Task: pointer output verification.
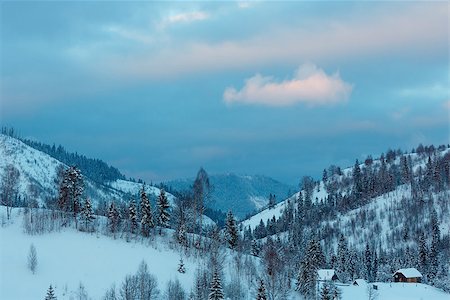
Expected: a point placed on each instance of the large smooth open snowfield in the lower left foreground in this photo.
(69, 257)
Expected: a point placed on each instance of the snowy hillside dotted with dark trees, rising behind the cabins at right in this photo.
(369, 220)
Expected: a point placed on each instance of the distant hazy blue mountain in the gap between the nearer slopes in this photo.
(247, 195)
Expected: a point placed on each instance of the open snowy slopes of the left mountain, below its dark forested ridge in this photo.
(39, 175)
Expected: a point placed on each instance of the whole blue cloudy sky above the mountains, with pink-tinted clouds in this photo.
(284, 89)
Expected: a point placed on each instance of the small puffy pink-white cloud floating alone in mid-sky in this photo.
(309, 85)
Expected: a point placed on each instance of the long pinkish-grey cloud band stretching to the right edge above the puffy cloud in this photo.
(383, 32)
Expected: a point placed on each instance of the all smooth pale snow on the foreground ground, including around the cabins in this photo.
(88, 255)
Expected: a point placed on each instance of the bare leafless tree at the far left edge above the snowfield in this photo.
(9, 188)
